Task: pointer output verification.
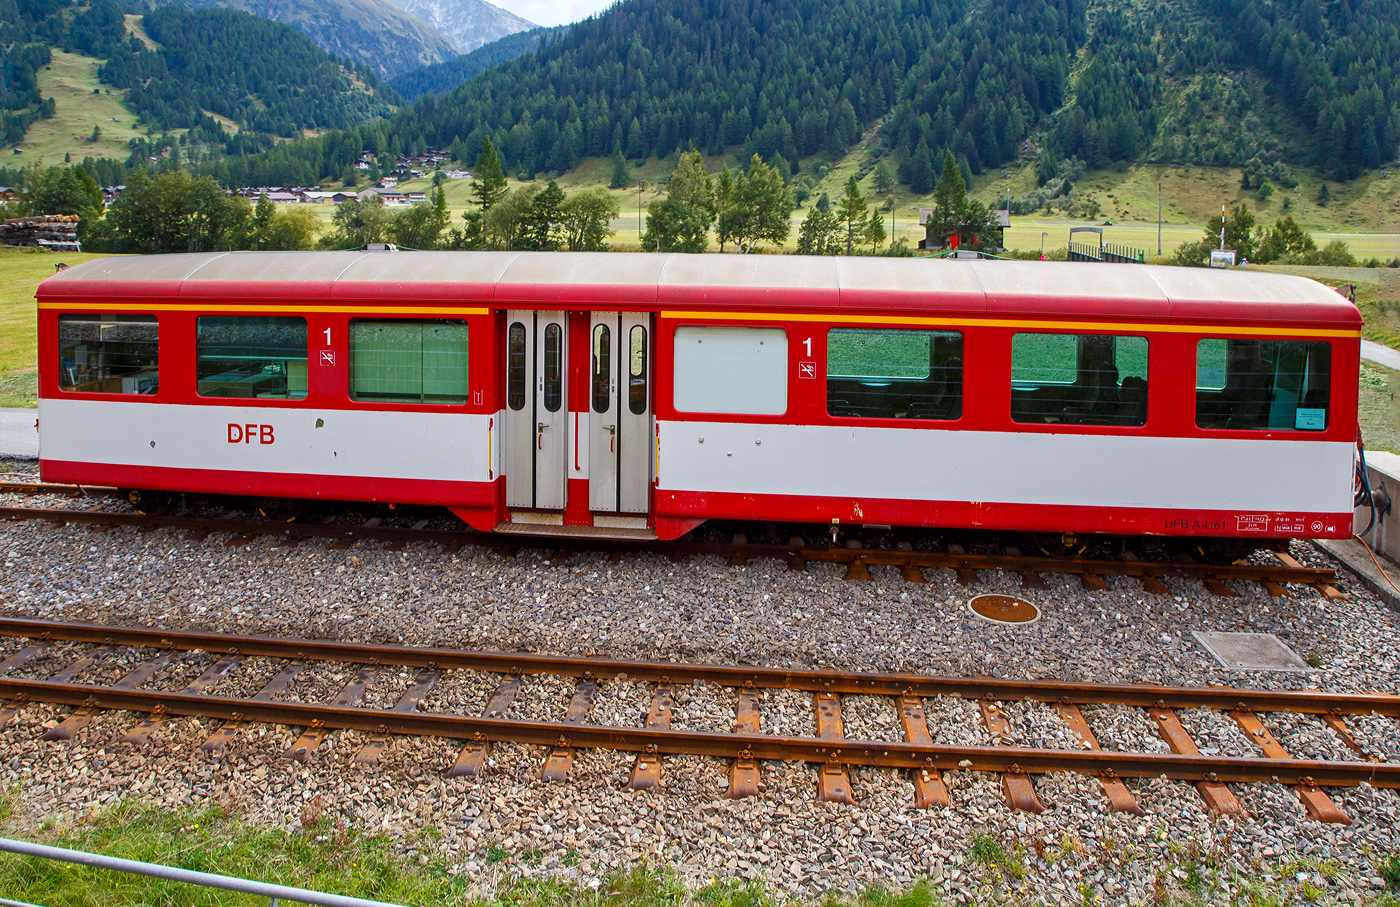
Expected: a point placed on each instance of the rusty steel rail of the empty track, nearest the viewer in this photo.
(846, 752)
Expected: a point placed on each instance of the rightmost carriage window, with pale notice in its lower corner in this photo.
(1263, 384)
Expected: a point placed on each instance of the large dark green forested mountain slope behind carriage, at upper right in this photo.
(1217, 82)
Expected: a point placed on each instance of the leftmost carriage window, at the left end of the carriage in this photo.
(108, 353)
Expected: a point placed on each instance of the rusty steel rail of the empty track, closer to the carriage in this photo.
(810, 681)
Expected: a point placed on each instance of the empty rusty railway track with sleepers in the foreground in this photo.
(745, 748)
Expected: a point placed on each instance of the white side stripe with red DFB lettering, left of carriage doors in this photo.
(388, 444)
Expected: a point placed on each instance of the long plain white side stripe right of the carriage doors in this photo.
(1009, 468)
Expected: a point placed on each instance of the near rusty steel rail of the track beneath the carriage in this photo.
(1016, 563)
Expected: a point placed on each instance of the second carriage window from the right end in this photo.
(1079, 380)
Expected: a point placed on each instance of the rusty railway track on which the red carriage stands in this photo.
(1276, 577)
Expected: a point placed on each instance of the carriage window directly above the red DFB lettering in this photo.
(260, 356)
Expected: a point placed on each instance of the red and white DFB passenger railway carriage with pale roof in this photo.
(639, 395)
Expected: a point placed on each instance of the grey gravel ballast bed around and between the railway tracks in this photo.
(649, 608)
